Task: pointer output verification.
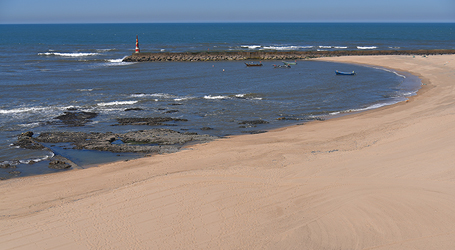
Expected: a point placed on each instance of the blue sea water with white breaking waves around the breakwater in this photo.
(47, 69)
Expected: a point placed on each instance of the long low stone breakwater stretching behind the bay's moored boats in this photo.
(270, 55)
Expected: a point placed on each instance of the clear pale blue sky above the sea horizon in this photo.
(164, 11)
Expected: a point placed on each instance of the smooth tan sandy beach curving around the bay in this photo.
(380, 179)
